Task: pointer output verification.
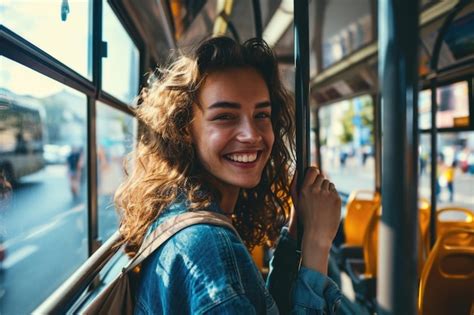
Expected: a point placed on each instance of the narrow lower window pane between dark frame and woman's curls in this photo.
(116, 132)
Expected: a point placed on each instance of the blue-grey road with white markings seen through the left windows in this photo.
(45, 235)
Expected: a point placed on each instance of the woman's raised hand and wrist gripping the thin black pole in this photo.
(319, 206)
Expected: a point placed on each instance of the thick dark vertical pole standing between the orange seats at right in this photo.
(398, 73)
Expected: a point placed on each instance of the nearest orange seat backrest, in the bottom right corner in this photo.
(447, 280)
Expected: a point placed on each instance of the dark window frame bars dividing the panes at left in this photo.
(20, 50)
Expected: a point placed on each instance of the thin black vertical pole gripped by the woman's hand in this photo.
(301, 33)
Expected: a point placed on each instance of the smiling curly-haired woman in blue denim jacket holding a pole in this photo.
(220, 138)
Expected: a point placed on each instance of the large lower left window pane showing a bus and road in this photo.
(43, 228)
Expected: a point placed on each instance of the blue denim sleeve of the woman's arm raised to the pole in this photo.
(302, 291)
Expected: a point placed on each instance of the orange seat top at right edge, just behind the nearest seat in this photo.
(449, 218)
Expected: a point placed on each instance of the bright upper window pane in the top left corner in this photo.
(63, 29)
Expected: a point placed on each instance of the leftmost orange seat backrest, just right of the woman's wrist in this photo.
(360, 208)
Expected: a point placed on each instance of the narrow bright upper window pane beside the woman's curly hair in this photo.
(120, 69)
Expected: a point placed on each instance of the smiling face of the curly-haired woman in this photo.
(232, 129)
